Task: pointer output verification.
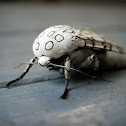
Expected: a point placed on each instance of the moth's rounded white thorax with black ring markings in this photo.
(54, 42)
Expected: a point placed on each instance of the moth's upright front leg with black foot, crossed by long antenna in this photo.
(67, 76)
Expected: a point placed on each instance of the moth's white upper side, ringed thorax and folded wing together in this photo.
(57, 40)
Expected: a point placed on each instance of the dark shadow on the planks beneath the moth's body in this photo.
(104, 77)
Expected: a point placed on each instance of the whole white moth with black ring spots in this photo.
(66, 48)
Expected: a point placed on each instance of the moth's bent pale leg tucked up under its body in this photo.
(91, 60)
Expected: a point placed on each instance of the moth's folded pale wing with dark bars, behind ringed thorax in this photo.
(97, 41)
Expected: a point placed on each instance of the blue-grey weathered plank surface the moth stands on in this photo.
(35, 99)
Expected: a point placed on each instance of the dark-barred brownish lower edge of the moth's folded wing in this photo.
(105, 44)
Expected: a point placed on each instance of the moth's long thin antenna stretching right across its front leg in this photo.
(73, 69)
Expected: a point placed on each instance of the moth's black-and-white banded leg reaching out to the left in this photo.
(23, 74)
